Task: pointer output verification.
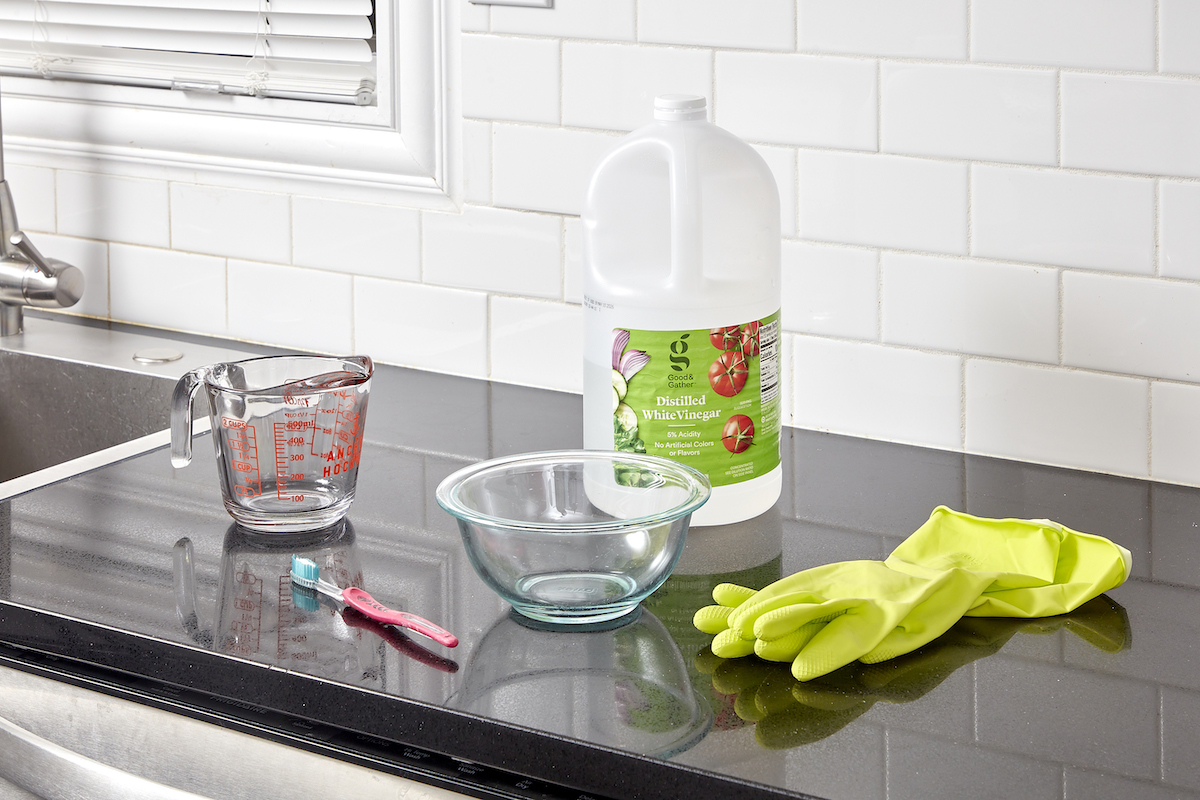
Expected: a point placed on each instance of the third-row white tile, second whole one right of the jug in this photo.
(1097, 222)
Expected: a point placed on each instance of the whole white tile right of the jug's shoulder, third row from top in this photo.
(884, 201)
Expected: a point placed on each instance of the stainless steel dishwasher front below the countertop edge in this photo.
(62, 742)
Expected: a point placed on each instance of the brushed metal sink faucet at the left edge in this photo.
(27, 278)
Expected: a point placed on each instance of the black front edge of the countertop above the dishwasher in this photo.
(429, 744)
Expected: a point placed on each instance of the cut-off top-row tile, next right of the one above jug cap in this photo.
(921, 29)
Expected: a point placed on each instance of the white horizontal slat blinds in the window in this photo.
(308, 50)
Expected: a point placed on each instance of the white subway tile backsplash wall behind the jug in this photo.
(992, 216)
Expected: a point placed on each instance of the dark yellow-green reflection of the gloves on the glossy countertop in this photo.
(789, 713)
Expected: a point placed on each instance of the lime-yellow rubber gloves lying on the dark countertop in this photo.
(956, 564)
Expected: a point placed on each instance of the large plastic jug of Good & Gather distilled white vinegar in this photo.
(681, 308)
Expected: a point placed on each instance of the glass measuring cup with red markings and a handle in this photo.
(287, 432)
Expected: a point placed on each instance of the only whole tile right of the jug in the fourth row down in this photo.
(997, 310)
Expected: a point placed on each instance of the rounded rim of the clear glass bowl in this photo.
(448, 490)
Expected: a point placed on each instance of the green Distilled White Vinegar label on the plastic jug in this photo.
(709, 399)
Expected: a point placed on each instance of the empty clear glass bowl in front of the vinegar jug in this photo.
(574, 537)
